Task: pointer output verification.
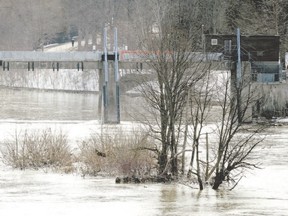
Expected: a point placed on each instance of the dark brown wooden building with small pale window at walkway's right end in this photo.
(261, 51)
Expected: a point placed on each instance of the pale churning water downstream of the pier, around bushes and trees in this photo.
(261, 192)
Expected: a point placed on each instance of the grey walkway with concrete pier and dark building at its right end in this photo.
(259, 53)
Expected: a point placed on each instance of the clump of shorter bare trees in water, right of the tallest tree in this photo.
(219, 101)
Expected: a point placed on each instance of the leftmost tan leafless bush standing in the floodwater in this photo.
(38, 149)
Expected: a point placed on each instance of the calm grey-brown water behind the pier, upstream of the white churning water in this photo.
(23, 104)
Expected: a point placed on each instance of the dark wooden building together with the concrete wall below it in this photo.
(260, 57)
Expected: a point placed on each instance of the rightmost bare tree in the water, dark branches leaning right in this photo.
(235, 139)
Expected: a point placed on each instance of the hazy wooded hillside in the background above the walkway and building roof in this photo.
(29, 24)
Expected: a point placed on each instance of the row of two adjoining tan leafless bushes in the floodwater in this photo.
(109, 154)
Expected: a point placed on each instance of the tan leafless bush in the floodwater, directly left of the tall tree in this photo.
(118, 153)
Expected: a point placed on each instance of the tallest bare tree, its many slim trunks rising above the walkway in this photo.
(169, 44)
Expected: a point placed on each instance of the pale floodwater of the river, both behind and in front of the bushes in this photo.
(262, 192)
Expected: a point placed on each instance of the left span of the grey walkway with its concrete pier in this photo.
(74, 61)
